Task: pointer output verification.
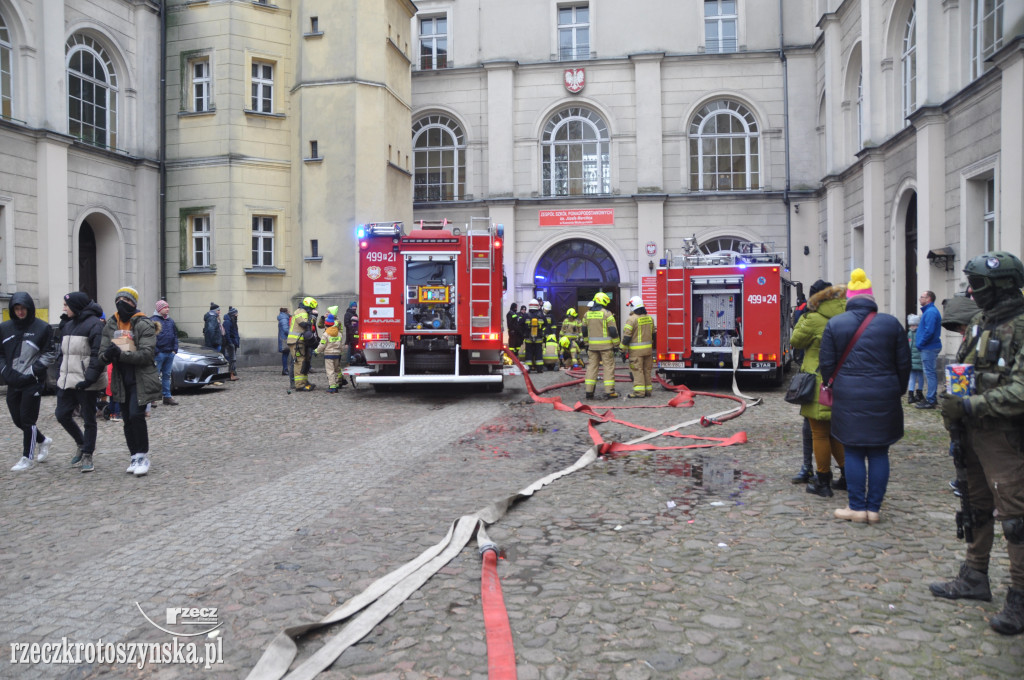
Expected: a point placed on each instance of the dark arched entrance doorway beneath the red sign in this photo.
(572, 273)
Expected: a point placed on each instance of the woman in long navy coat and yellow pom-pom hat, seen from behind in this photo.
(868, 413)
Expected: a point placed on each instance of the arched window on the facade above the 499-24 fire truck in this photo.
(724, 149)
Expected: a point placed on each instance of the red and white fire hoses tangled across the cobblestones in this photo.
(371, 607)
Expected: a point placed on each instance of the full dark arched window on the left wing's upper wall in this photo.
(93, 94)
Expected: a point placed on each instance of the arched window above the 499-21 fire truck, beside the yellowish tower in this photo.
(440, 159)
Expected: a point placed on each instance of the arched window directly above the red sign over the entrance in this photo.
(575, 155)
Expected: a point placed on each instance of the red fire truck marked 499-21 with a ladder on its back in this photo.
(431, 305)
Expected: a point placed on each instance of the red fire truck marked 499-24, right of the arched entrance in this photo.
(720, 306)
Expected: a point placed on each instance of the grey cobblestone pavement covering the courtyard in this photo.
(276, 508)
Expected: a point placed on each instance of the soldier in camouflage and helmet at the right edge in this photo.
(994, 423)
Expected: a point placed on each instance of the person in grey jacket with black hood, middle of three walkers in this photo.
(81, 377)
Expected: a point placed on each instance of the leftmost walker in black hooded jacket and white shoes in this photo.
(27, 352)
